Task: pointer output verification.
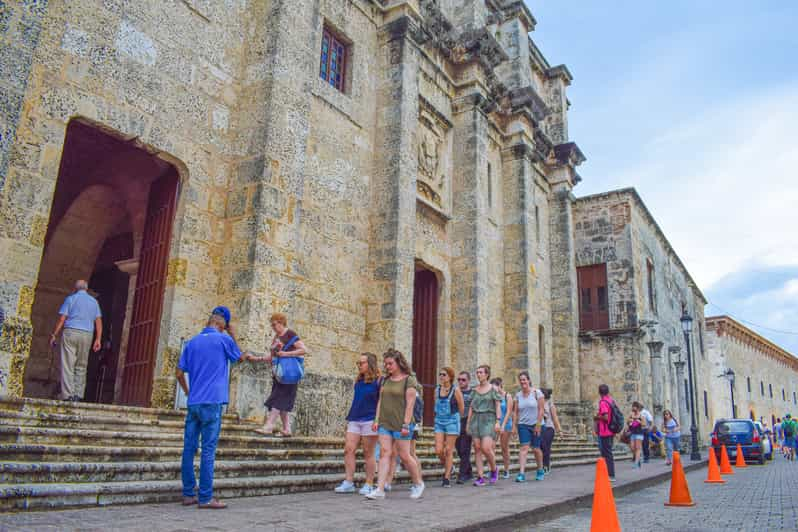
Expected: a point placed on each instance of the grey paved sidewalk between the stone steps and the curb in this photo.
(507, 505)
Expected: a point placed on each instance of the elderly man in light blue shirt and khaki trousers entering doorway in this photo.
(81, 320)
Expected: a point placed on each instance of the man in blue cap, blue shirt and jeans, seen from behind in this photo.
(205, 358)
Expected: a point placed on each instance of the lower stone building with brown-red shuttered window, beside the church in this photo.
(633, 290)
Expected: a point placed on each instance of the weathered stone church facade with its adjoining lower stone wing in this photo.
(388, 173)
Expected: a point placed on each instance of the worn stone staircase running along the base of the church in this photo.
(55, 454)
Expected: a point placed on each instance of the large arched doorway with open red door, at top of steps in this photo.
(110, 223)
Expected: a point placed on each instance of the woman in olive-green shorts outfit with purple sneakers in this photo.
(483, 424)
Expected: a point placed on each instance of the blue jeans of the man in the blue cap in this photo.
(203, 420)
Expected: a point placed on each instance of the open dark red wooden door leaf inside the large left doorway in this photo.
(148, 296)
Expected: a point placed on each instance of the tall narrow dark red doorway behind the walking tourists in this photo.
(425, 337)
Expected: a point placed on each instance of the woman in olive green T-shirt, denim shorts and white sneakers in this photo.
(394, 423)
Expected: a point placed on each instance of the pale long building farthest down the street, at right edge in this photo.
(765, 383)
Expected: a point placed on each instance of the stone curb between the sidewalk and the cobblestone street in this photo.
(552, 511)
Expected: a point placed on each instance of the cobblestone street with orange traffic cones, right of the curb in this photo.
(756, 498)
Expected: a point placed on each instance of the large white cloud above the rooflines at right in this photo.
(723, 184)
